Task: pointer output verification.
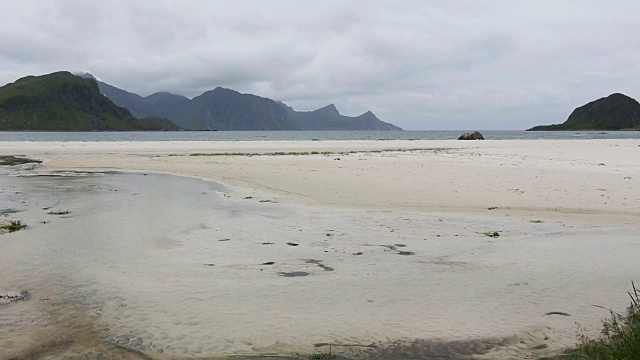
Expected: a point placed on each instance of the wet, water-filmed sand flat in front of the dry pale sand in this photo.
(177, 267)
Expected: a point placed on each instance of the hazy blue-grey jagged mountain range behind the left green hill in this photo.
(226, 109)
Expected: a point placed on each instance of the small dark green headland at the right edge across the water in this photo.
(614, 112)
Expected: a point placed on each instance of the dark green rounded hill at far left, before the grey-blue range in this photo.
(64, 102)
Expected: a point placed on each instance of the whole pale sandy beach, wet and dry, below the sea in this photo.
(372, 254)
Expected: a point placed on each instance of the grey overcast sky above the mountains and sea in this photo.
(419, 64)
